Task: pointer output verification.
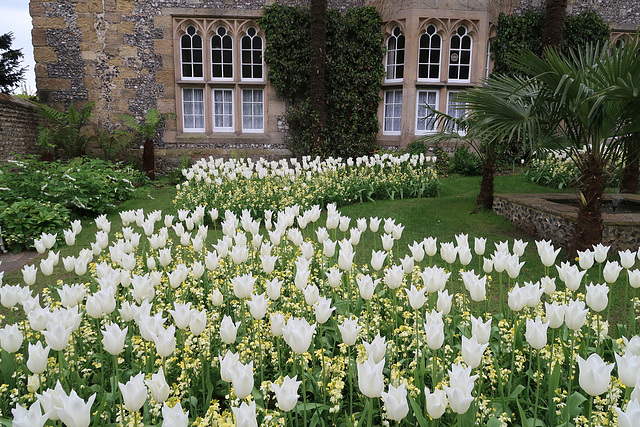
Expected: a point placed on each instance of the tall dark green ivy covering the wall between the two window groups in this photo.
(354, 76)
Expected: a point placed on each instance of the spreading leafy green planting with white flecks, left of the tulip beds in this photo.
(42, 197)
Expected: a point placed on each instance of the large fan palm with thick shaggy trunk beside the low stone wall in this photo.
(587, 116)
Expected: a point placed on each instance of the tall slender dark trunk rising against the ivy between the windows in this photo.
(317, 70)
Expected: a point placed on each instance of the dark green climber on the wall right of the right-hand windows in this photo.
(517, 33)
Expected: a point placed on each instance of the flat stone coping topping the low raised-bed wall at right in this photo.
(551, 203)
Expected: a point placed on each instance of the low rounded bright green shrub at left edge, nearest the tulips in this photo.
(25, 220)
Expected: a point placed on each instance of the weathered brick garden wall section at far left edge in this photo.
(18, 127)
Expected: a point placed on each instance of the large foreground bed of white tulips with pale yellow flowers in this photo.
(323, 323)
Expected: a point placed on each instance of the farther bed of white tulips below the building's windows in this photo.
(269, 185)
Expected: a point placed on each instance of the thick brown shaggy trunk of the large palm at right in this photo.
(589, 226)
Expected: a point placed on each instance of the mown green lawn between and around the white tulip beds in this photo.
(444, 217)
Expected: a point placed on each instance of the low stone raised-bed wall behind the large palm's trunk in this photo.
(541, 216)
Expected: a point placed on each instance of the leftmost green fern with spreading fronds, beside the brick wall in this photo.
(65, 131)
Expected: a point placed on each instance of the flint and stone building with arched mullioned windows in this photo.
(202, 60)
